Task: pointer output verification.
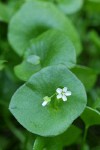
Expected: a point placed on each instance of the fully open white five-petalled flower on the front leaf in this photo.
(63, 93)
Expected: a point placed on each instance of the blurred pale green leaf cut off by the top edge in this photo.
(70, 6)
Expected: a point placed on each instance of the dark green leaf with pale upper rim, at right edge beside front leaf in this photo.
(91, 117)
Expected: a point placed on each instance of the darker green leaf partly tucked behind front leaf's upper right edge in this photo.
(86, 75)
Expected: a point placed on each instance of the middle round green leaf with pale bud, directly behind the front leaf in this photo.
(53, 48)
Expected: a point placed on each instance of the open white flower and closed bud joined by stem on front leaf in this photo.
(60, 94)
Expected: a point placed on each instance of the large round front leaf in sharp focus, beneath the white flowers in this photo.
(57, 116)
